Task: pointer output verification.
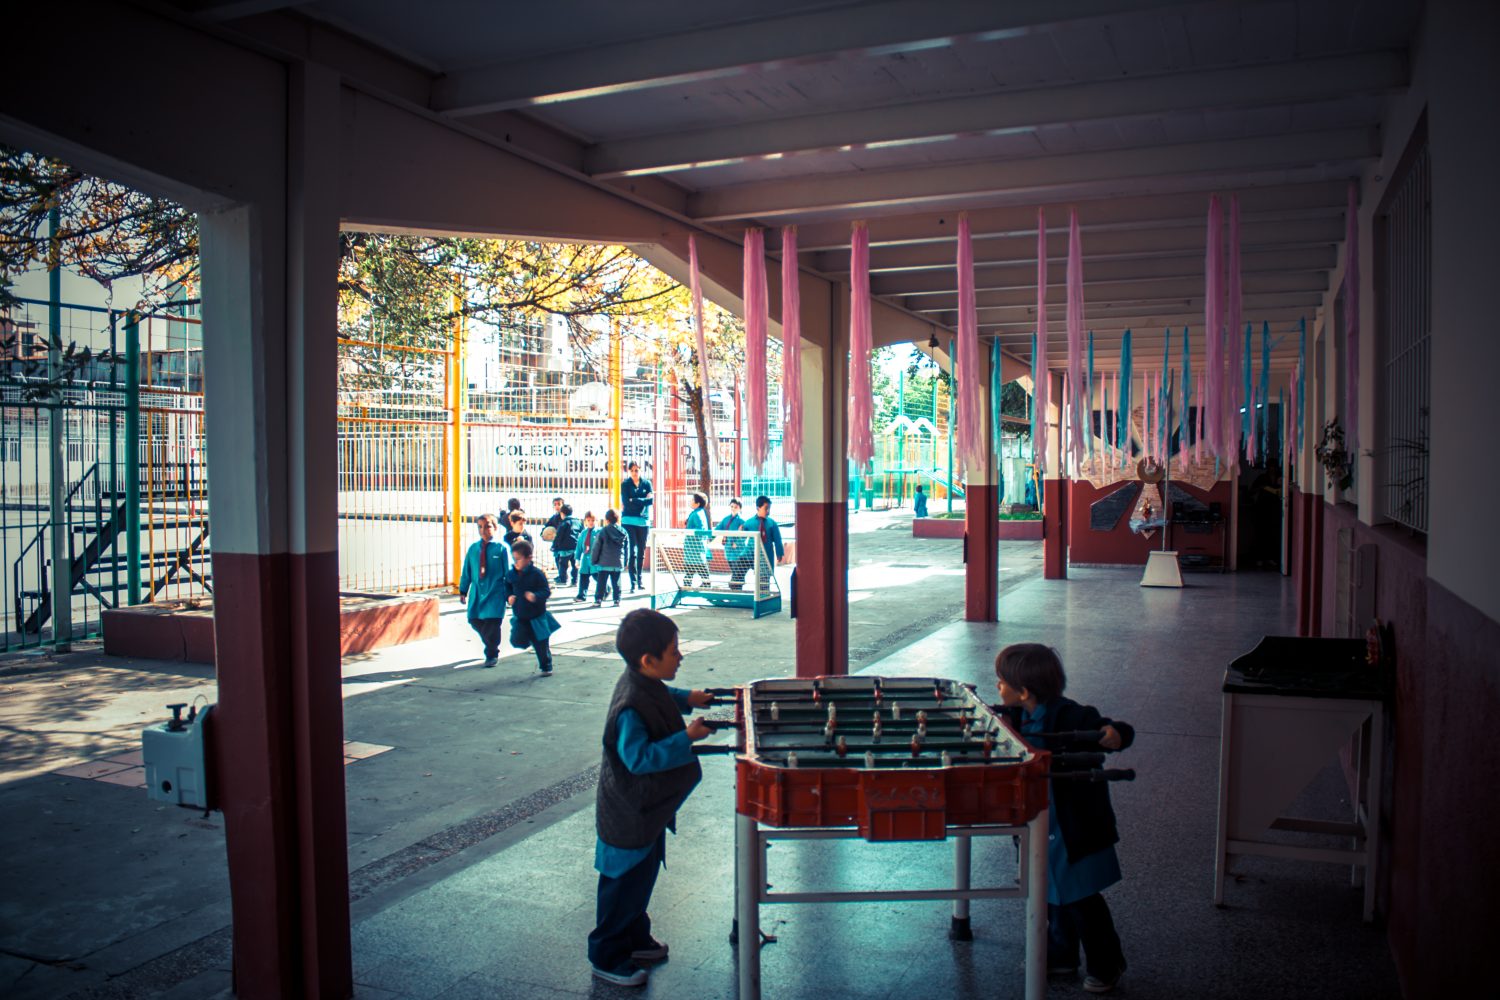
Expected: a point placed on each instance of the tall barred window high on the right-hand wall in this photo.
(1405, 302)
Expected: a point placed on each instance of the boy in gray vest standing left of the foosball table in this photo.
(647, 773)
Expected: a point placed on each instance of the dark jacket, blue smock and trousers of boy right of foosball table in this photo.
(1081, 845)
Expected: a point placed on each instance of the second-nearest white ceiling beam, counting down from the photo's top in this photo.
(1003, 112)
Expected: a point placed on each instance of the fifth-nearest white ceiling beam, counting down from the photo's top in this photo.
(1003, 251)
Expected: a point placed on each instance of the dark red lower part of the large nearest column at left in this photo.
(277, 744)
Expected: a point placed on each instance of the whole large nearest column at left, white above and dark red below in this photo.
(271, 308)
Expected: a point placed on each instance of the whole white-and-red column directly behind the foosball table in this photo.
(823, 513)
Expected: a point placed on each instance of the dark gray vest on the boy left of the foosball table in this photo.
(634, 809)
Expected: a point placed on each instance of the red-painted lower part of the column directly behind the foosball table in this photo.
(823, 590)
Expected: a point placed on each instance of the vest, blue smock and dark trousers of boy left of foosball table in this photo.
(649, 771)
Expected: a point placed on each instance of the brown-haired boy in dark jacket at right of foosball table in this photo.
(1082, 831)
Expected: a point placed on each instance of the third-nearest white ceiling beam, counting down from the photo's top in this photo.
(850, 191)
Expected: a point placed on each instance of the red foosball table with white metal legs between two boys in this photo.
(887, 759)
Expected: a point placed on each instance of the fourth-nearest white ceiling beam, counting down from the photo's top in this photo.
(1276, 203)
